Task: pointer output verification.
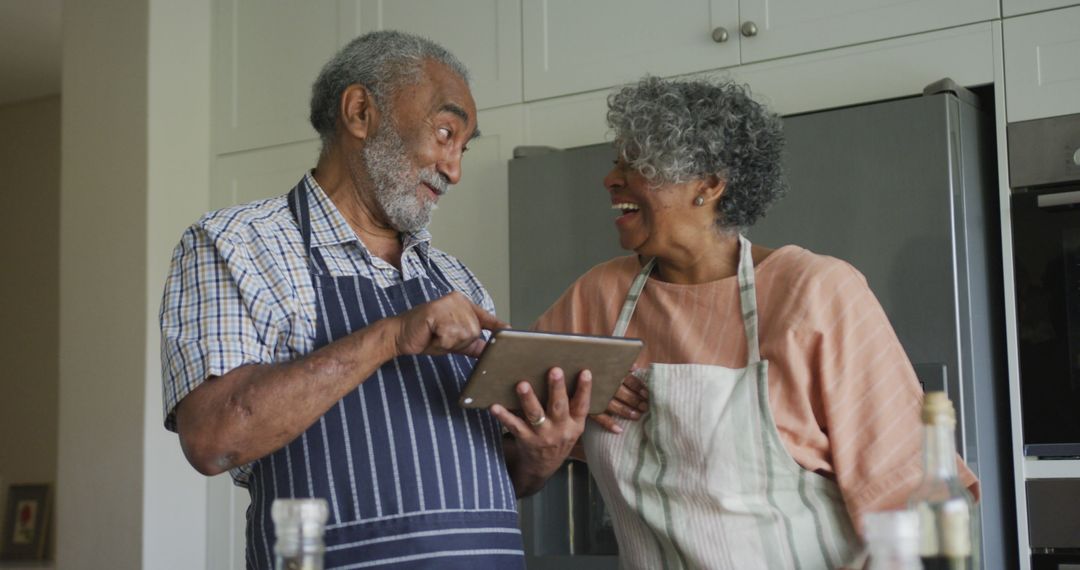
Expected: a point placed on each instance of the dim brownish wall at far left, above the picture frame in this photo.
(30, 296)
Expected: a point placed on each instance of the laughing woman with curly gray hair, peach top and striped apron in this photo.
(781, 405)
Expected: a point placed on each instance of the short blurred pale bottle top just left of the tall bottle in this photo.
(893, 540)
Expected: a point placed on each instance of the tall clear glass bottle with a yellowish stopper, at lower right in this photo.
(948, 533)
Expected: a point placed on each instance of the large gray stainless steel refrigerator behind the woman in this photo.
(906, 191)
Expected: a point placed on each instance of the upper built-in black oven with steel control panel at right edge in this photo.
(1045, 175)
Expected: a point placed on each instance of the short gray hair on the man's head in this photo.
(383, 62)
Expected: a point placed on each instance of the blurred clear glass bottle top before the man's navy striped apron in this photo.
(300, 525)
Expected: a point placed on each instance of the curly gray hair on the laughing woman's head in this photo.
(677, 131)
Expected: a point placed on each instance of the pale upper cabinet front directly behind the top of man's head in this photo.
(267, 56)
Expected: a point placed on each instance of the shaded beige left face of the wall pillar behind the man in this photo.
(103, 286)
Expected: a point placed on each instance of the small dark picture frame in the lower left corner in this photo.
(26, 522)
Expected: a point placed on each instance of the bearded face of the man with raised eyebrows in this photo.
(416, 152)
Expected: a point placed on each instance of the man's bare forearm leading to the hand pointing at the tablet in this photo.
(254, 411)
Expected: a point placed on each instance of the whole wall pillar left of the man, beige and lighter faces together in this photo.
(136, 150)
